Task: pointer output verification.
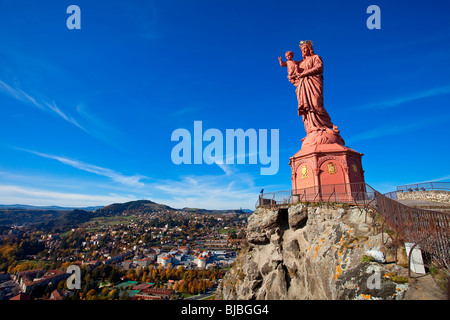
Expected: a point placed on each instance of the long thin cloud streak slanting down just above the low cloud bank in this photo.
(132, 181)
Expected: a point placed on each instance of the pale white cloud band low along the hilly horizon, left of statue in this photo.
(207, 191)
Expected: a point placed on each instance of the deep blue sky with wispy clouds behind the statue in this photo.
(87, 115)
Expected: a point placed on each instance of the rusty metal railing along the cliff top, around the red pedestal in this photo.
(428, 229)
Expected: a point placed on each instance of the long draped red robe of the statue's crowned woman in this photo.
(310, 95)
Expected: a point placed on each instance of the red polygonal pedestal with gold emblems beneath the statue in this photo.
(328, 170)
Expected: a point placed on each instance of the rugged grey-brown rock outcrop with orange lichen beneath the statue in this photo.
(311, 252)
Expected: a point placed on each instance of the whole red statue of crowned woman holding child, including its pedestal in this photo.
(323, 158)
